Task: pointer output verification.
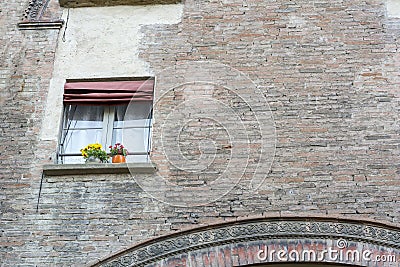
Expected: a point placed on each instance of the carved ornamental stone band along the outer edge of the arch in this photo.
(263, 230)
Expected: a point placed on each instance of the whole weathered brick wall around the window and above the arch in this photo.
(328, 71)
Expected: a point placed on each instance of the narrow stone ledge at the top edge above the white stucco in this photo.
(91, 3)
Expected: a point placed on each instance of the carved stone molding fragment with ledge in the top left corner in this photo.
(33, 17)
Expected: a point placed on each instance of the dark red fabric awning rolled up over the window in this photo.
(108, 93)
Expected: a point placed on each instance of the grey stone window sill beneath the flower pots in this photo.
(98, 168)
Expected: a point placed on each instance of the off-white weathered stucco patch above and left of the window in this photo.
(101, 42)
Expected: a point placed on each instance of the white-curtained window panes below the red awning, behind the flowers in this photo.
(83, 125)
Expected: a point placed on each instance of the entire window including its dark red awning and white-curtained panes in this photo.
(106, 113)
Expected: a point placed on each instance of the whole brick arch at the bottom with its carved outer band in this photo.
(259, 242)
